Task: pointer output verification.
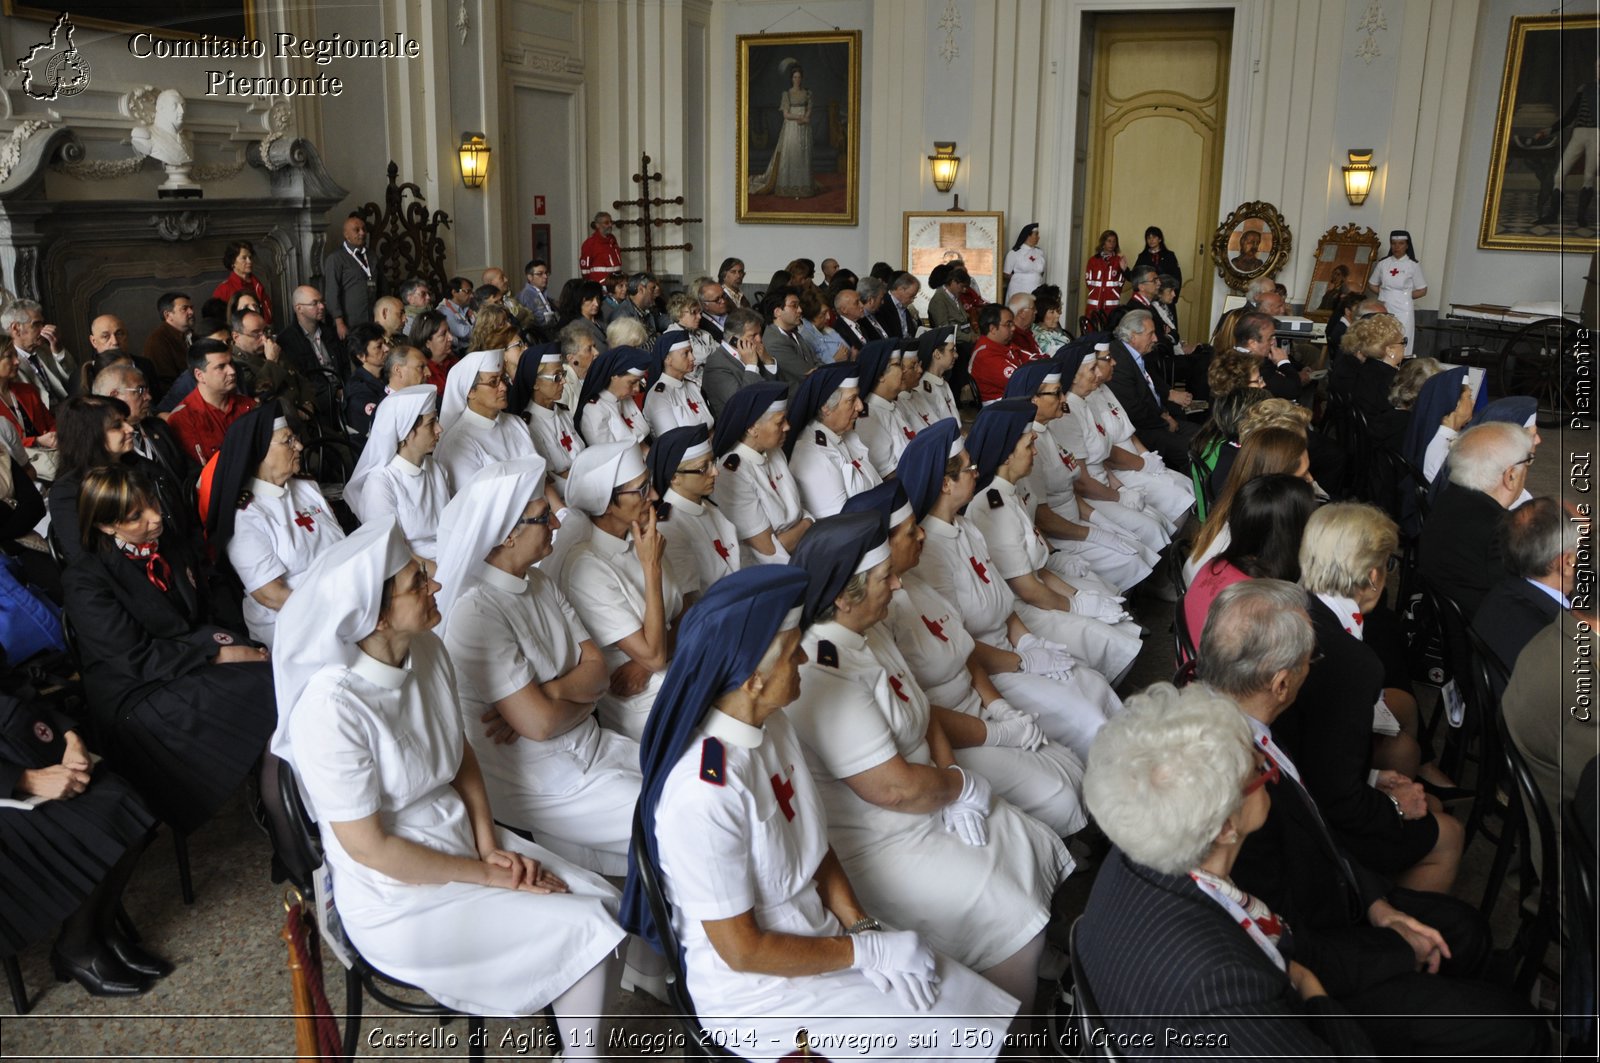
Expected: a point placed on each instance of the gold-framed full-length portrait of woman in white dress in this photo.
(798, 140)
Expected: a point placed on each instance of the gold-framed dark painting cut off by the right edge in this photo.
(1543, 153)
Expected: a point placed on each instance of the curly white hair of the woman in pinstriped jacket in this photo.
(1166, 774)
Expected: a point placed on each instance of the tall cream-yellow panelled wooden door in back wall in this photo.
(1156, 146)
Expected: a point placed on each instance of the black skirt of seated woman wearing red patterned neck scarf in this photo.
(190, 745)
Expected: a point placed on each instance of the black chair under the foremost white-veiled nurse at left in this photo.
(297, 854)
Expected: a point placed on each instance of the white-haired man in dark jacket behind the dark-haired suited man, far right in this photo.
(1462, 540)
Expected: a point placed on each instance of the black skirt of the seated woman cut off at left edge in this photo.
(54, 856)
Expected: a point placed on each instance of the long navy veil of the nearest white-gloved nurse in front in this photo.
(721, 641)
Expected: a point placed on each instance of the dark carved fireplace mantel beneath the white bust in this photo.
(82, 257)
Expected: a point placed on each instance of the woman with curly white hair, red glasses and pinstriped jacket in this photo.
(1177, 785)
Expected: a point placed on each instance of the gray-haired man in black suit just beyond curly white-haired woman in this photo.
(1406, 963)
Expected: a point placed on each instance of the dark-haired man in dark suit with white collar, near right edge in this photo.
(1542, 560)
